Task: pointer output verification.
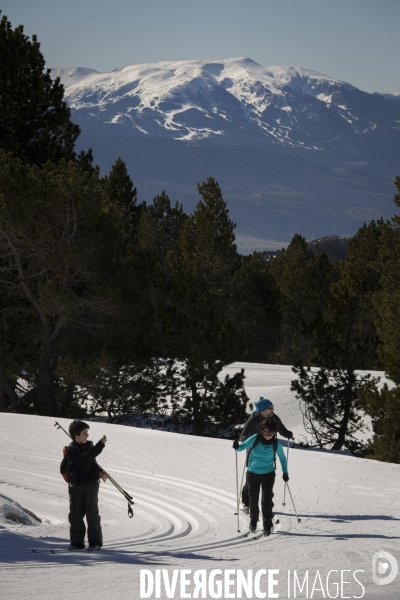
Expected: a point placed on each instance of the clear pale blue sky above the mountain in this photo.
(353, 40)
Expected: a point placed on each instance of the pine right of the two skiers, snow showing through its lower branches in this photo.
(344, 339)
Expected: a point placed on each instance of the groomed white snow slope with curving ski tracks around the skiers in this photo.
(184, 489)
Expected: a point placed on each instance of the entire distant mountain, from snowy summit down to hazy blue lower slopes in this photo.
(295, 151)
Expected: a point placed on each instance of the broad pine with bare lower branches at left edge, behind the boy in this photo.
(60, 281)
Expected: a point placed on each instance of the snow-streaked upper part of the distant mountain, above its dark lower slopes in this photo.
(229, 100)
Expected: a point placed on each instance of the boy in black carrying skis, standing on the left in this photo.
(84, 474)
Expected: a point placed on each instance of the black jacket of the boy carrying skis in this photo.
(83, 467)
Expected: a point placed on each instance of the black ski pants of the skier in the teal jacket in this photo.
(266, 482)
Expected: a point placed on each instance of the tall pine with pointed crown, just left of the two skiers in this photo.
(191, 323)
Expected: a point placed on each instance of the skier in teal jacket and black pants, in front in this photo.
(261, 471)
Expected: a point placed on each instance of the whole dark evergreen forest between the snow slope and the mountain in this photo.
(110, 306)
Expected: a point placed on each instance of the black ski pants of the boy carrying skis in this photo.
(83, 502)
